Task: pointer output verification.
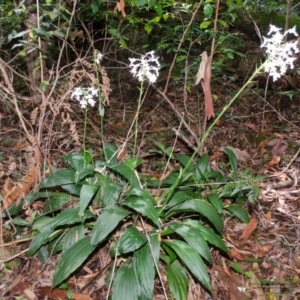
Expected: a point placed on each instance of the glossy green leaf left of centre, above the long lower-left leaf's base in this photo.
(107, 222)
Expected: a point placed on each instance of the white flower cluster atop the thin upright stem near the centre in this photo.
(146, 67)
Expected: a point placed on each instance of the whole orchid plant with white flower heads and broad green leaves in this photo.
(150, 236)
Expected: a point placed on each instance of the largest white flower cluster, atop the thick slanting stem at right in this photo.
(281, 56)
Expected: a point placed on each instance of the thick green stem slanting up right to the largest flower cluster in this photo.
(167, 195)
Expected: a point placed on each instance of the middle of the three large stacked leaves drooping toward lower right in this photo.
(193, 237)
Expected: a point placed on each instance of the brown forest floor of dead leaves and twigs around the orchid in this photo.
(264, 134)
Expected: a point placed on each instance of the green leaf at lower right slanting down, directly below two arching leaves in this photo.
(192, 260)
